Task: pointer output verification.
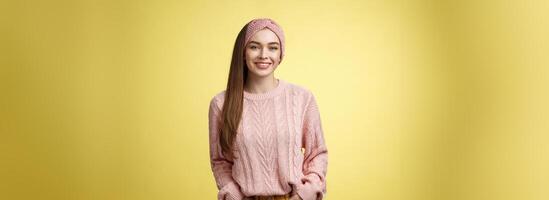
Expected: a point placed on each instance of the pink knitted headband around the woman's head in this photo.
(258, 24)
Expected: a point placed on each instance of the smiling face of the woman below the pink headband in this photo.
(262, 53)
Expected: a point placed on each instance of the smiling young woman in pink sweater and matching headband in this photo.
(266, 139)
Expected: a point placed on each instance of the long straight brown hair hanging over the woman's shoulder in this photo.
(234, 96)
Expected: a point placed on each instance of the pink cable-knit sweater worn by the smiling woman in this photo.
(269, 159)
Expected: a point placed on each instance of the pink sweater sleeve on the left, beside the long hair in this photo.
(221, 166)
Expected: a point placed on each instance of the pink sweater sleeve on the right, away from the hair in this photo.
(315, 163)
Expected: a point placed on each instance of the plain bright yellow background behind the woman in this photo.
(418, 99)
